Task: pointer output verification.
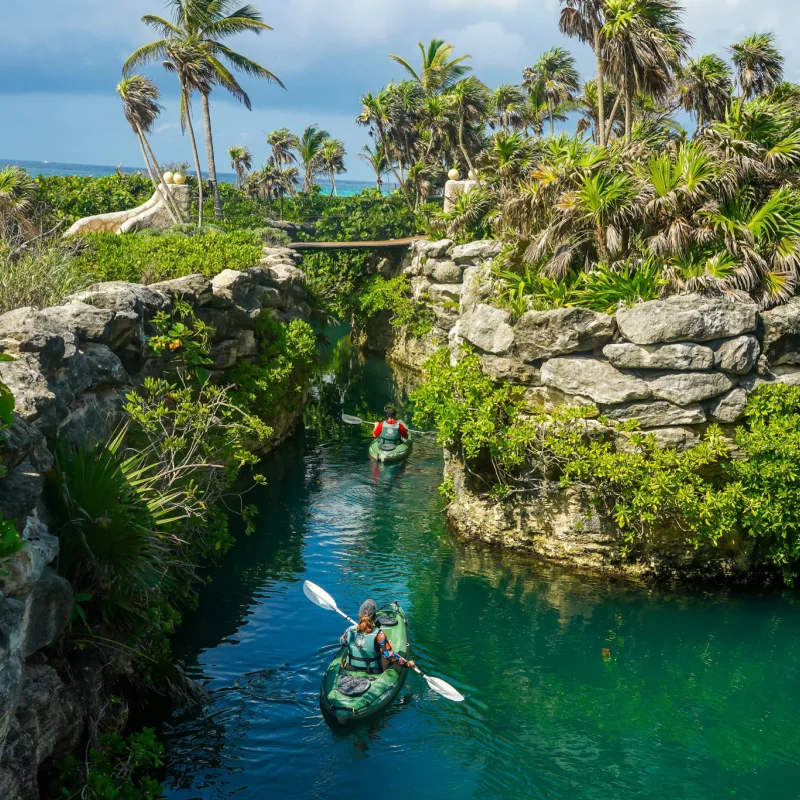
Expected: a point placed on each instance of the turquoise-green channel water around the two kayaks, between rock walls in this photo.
(696, 696)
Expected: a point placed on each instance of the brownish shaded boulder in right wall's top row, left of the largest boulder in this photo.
(545, 334)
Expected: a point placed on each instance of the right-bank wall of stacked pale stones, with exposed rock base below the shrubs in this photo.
(675, 365)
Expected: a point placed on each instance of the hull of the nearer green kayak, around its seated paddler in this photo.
(347, 695)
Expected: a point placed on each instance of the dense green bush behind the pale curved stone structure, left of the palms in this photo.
(71, 197)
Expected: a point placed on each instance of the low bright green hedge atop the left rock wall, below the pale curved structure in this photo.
(149, 259)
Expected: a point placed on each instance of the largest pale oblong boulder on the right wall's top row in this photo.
(690, 317)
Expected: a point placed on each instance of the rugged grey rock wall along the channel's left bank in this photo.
(73, 365)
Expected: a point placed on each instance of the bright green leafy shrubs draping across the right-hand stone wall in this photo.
(718, 491)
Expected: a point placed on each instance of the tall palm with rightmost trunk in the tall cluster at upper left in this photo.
(208, 22)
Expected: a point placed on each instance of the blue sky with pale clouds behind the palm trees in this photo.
(60, 61)
